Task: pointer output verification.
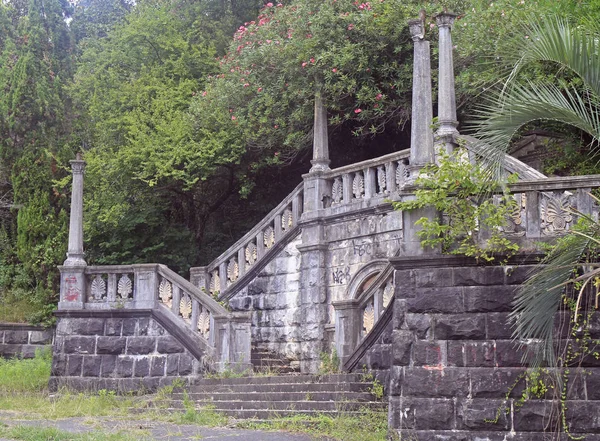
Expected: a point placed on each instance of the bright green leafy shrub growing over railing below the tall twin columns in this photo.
(469, 203)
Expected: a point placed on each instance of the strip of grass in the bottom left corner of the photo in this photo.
(30, 433)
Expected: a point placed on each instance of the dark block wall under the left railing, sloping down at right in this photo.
(118, 350)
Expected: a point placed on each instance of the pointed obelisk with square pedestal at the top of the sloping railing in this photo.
(316, 187)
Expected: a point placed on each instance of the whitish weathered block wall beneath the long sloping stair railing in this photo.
(273, 297)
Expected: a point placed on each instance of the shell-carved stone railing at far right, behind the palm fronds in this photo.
(548, 207)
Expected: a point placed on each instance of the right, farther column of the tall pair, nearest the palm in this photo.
(446, 91)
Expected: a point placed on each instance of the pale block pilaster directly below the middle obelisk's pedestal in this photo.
(313, 295)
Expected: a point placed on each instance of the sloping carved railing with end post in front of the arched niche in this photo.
(356, 319)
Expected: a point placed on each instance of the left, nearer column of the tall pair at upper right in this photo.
(421, 137)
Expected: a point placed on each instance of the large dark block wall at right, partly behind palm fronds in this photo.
(456, 374)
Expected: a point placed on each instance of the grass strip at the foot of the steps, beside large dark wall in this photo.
(367, 426)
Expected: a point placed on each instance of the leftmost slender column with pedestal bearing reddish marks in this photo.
(72, 272)
